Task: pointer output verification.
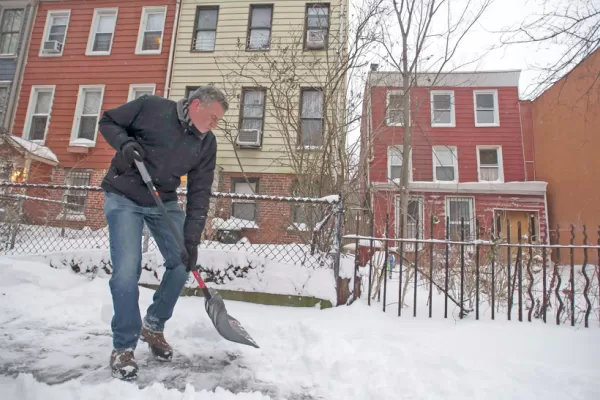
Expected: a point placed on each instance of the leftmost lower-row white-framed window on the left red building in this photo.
(38, 113)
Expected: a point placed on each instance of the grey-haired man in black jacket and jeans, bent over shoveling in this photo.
(173, 139)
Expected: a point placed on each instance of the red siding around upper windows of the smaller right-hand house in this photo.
(465, 136)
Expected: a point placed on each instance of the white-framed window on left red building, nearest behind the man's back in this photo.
(87, 113)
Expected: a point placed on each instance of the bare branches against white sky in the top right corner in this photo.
(574, 26)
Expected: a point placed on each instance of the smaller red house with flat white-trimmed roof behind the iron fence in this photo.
(468, 155)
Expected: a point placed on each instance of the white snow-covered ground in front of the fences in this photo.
(55, 340)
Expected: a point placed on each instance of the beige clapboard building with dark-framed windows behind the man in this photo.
(276, 61)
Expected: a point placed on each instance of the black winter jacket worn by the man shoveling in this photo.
(173, 148)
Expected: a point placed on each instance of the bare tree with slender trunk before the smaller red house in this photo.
(420, 39)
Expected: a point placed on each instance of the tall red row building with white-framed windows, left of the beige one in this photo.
(85, 57)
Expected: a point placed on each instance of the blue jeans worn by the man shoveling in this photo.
(125, 224)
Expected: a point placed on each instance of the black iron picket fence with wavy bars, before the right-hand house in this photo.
(526, 277)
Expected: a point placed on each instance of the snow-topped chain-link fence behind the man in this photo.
(48, 218)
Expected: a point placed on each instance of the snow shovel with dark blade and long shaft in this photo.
(226, 325)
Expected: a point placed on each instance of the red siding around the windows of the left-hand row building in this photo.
(117, 71)
